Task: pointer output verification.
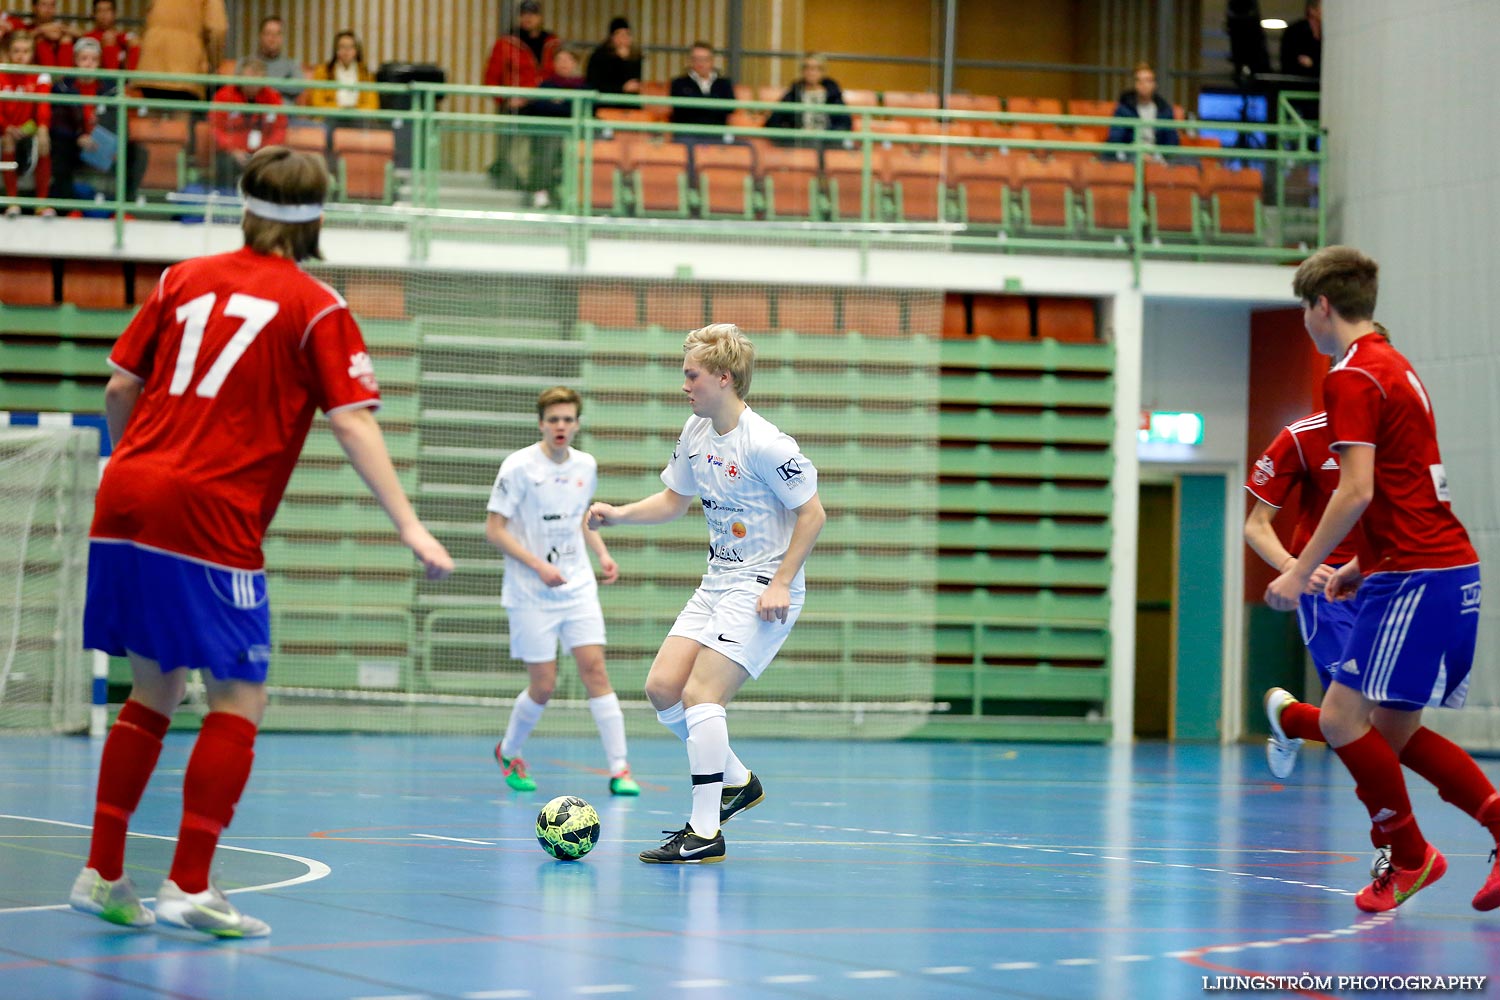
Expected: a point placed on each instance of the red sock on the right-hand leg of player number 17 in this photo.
(217, 774)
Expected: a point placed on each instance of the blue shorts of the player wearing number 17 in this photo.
(178, 612)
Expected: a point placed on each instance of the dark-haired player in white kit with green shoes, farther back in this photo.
(536, 518)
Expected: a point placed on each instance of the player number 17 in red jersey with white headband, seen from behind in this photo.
(215, 386)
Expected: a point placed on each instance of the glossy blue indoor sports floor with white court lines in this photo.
(403, 867)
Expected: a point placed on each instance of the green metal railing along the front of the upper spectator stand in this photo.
(433, 202)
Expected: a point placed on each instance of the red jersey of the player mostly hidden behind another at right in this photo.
(1301, 457)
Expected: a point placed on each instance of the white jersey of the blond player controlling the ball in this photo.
(751, 482)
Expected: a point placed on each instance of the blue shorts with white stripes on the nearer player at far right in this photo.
(1414, 638)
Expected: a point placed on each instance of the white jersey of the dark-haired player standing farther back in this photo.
(545, 503)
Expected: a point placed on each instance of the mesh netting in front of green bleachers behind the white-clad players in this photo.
(851, 374)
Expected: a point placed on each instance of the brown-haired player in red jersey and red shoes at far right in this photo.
(1417, 627)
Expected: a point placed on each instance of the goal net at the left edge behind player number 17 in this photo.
(47, 488)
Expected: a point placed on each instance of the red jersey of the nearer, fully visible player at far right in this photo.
(1376, 400)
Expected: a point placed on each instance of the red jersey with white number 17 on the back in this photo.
(235, 353)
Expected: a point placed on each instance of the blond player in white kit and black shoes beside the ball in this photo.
(760, 496)
